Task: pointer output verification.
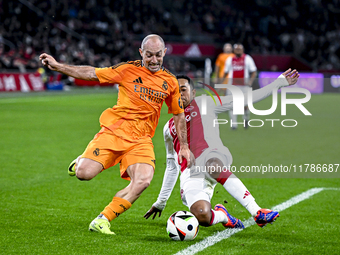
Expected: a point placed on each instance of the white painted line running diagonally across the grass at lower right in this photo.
(219, 236)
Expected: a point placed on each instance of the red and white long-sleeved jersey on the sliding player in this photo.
(203, 132)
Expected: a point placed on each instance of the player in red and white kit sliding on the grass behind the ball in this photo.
(212, 160)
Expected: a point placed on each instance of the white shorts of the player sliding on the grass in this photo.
(198, 185)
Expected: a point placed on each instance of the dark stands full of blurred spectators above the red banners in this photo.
(265, 27)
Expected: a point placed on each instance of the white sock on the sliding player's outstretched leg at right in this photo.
(236, 188)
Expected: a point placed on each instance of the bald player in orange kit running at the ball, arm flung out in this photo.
(127, 128)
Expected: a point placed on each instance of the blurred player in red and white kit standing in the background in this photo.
(242, 71)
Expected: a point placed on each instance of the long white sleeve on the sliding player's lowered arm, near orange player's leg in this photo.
(171, 172)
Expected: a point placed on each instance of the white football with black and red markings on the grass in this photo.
(182, 226)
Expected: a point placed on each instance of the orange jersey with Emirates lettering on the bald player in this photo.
(140, 99)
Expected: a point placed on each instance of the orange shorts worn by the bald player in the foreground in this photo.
(109, 150)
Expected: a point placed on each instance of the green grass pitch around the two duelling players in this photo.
(44, 211)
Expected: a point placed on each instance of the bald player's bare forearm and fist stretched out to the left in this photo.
(79, 72)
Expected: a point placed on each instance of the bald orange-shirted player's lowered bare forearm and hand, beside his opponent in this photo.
(181, 129)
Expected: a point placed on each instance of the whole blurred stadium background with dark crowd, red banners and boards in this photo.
(302, 34)
